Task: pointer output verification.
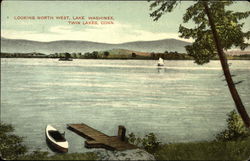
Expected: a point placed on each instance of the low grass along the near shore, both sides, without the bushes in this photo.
(214, 150)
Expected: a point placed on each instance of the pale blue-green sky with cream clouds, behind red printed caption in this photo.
(131, 21)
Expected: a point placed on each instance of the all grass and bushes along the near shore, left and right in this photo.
(233, 143)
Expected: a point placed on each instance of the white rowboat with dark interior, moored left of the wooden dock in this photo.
(56, 140)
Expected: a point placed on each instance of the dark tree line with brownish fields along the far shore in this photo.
(167, 55)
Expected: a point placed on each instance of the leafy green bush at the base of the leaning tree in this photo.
(236, 129)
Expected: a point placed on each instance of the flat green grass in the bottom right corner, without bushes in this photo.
(215, 150)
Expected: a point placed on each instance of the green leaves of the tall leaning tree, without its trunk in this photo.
(227, 23)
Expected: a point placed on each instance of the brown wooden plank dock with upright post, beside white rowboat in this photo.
(97, 139)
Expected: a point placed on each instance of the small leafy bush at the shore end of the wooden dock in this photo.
(150, 143)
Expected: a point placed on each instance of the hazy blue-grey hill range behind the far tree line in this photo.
(27, 46)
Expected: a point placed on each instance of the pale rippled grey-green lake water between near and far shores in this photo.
(180, 102)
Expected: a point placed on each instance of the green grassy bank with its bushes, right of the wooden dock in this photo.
(233, 143)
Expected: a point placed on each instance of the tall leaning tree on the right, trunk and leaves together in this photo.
(216, 29)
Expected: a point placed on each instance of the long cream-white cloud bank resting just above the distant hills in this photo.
(115, 33)
